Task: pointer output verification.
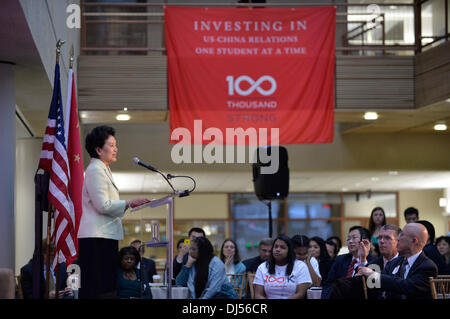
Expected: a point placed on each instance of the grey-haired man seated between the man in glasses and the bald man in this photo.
(387, 240)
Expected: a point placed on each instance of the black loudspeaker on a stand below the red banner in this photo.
(271, 186)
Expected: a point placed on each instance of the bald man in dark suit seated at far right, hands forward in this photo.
(406, 277)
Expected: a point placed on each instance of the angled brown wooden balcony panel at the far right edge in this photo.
(433, 75)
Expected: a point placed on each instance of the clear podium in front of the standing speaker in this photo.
(167, 200)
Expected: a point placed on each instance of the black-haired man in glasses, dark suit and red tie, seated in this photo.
(345, 265)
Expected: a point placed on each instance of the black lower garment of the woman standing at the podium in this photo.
(98, 259)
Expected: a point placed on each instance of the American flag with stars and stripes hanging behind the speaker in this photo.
(54, 159)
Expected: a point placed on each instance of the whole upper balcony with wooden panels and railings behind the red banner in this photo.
(393, 58)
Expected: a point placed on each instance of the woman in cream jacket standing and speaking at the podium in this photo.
(101, 223)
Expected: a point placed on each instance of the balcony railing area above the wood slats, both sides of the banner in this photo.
(136, 27)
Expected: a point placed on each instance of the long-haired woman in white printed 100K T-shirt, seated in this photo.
(282, 276)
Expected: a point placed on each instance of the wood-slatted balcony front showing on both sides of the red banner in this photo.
(140, 82)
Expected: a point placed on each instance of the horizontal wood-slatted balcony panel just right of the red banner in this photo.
(375, 82)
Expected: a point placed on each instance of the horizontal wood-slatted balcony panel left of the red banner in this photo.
(115, 82)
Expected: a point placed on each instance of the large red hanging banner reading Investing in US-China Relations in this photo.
(246, 71)
